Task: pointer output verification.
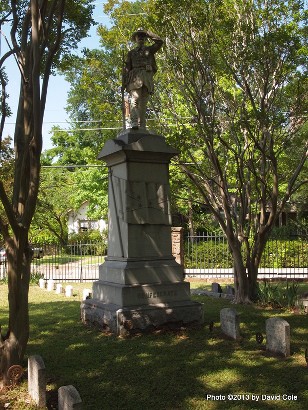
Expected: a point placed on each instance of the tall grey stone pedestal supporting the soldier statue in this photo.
(141, 287)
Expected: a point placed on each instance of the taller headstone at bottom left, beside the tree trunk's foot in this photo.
(37, 380)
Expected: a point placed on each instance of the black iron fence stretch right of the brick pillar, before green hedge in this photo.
(209, 254)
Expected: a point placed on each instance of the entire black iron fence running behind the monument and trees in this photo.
(205, 255)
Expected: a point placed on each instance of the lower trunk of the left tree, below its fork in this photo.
(13, 344)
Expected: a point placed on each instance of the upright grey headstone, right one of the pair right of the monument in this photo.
(278, 336)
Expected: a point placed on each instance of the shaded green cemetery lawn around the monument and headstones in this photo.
(187, 369)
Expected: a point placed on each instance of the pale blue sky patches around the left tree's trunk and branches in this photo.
(58, 88)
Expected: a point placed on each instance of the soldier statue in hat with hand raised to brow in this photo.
(140, 67)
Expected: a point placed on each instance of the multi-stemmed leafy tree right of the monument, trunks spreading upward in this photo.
(241, 67)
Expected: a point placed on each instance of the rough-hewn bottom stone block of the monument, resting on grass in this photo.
(140, 319)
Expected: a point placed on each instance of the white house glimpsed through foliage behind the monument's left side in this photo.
(78, 221)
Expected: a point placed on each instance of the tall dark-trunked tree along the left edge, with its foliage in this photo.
(41, 33)
